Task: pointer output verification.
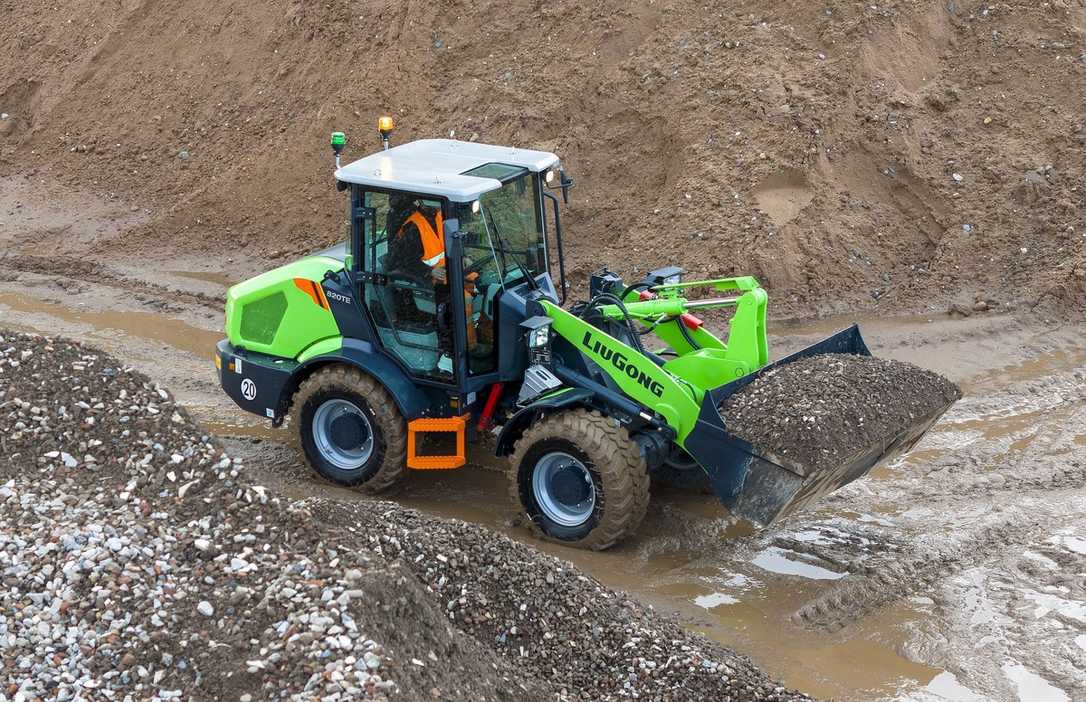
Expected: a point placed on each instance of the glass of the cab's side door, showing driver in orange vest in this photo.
(411, 306)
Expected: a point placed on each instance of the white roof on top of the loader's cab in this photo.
(435, 167)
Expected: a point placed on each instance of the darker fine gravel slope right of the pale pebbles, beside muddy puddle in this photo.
(587, 642)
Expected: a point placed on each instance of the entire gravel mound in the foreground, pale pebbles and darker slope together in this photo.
(141, 561)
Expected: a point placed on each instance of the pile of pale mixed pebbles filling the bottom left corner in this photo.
(136, 562)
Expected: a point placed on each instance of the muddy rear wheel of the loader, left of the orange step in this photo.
(350, 430)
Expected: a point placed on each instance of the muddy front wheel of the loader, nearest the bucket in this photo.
(580, 479)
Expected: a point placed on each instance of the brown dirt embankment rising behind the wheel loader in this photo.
(890, 155)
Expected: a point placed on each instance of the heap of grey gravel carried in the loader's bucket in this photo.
(822, 410)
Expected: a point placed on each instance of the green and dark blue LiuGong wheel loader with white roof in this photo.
(385, 367)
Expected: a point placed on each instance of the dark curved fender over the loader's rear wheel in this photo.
(411, 400)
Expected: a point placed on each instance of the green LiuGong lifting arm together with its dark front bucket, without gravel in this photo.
(688, 390)
